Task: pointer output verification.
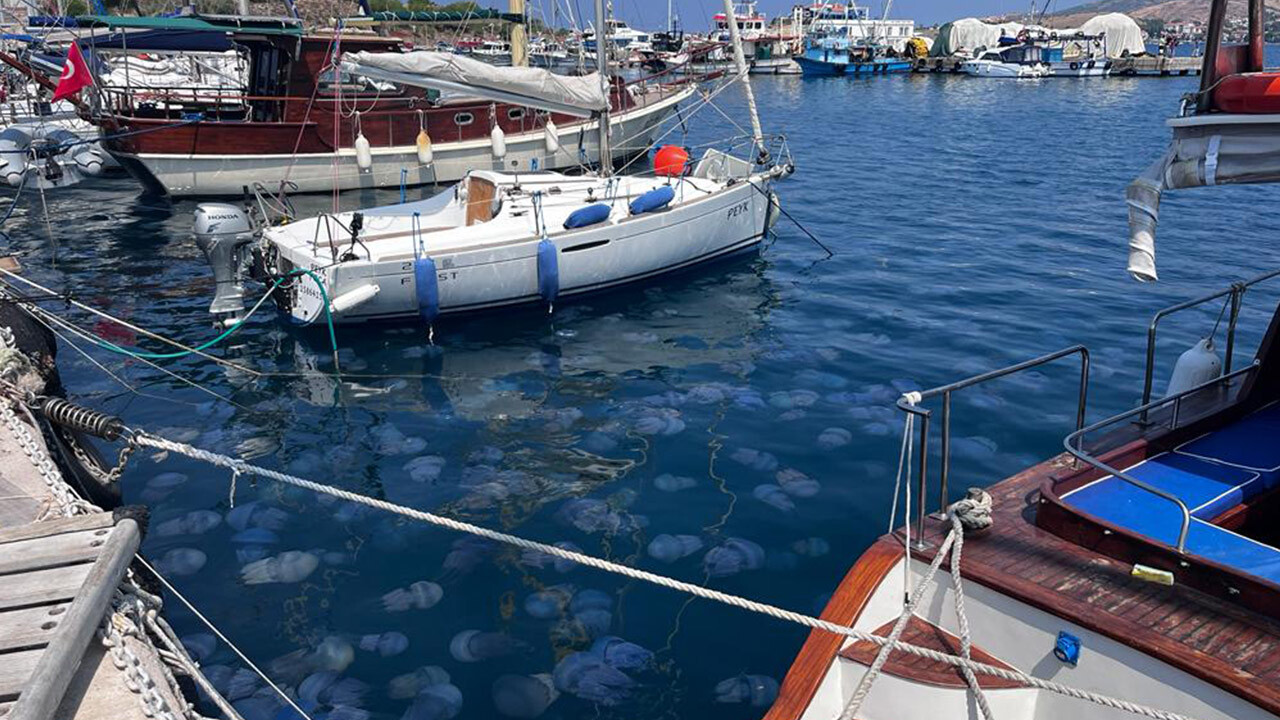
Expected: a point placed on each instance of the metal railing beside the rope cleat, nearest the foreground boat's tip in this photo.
(947, 391)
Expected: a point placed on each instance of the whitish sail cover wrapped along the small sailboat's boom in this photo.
(533, 88)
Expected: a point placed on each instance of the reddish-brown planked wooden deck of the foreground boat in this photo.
(1214, 640)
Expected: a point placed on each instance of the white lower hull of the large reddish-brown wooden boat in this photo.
(185, 175)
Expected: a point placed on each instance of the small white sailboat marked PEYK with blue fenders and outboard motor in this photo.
(500, 239)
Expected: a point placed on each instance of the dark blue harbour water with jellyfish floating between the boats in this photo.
(975, 225)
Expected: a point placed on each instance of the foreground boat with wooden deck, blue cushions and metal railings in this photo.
(1137, 575)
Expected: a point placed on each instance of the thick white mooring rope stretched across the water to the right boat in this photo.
(698, 591)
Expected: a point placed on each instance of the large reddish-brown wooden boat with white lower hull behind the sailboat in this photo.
(305, 124)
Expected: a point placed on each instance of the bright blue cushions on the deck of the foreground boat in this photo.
(1208, 489)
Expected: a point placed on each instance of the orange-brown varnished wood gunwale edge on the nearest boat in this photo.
(820, 650)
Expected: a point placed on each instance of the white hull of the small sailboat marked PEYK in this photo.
(496, 263)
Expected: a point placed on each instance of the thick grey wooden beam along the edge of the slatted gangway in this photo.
(57, 668)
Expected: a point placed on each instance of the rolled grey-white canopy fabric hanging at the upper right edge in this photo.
(1217, 149)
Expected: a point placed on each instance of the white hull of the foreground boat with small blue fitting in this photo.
(1023, 637)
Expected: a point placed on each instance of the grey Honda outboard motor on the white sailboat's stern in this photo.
(223, 233)
